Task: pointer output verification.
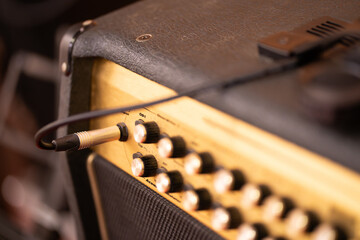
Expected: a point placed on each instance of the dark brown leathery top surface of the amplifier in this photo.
(203, 42)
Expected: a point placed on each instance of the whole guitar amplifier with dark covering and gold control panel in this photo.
(273, 158)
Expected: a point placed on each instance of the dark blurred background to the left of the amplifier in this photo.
(33, 202)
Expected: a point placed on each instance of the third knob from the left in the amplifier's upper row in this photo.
(196, 163)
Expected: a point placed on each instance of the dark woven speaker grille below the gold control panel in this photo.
(133, 211)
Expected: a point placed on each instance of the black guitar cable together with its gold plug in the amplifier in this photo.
(300, 56)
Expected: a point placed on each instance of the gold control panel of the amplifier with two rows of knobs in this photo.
(240, 181)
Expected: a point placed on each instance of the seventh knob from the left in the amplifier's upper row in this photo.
(299, 222)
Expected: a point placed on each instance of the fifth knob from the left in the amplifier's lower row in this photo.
(248, 231)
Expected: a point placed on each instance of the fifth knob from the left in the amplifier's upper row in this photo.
(253, 195)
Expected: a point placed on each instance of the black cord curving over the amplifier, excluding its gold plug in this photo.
(300, 55)
